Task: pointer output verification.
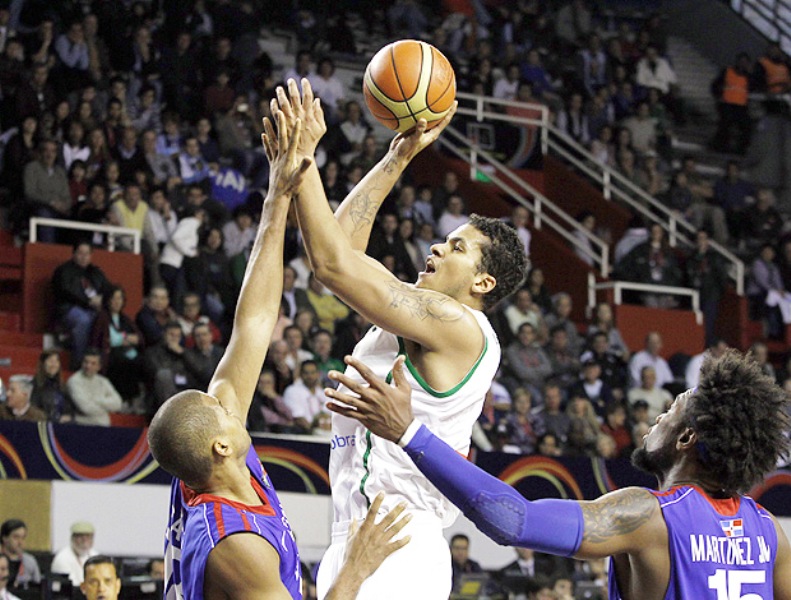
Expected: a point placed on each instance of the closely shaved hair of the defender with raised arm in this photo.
(186, 455)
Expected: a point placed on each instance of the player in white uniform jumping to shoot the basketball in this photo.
(437, 323)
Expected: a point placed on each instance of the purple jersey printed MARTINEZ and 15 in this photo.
(719, 549)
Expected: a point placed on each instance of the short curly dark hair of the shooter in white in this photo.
(503, 258)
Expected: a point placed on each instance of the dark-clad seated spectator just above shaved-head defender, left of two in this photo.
(165, 368)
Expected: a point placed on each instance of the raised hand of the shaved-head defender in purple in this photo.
(286, 167)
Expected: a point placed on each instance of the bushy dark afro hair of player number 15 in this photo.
(740, 417)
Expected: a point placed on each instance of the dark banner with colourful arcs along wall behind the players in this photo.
(47, 451)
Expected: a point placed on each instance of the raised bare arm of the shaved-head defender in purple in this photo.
(236, 376)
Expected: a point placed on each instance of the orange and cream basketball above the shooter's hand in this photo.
(406, 81)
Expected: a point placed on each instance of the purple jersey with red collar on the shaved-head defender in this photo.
(198, 522)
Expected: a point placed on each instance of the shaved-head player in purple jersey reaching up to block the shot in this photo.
(227, 535)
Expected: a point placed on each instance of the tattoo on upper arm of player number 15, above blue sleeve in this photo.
(620, 514)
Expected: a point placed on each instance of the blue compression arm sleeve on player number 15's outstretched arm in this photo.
(497, 509)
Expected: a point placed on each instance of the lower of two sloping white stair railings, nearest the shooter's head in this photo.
(542, 209)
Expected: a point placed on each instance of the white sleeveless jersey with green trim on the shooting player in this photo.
(362, 464)
